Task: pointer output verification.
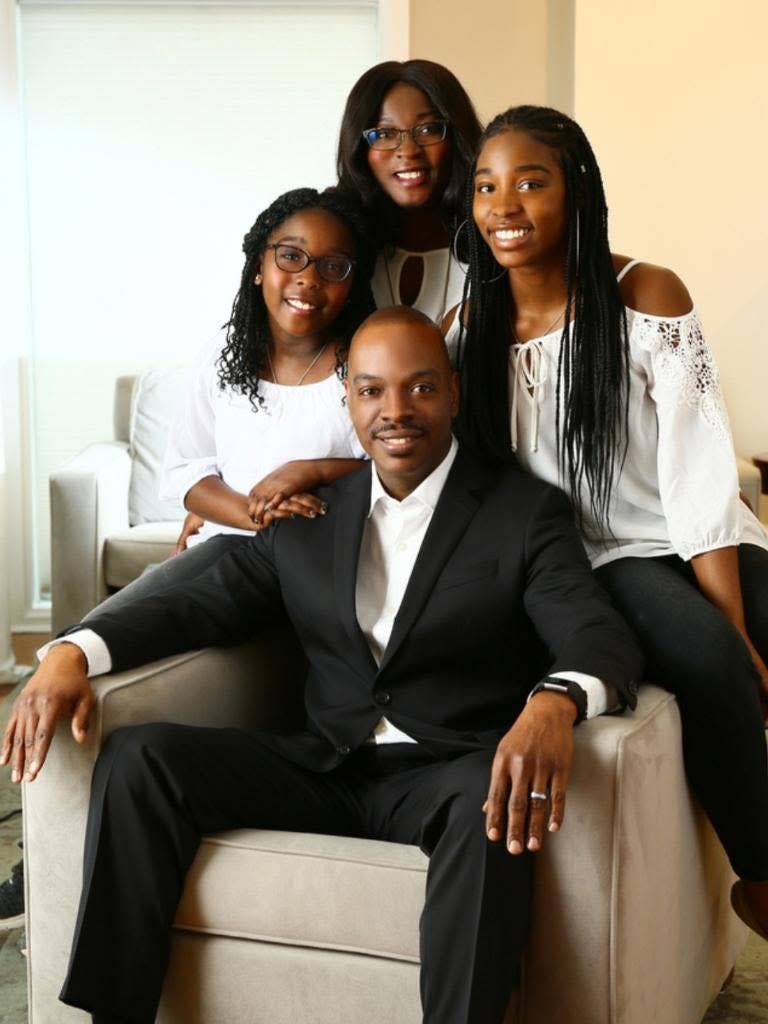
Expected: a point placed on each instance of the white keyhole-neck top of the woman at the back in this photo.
(442, 286)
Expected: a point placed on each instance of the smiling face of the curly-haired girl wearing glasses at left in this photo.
(304, 307)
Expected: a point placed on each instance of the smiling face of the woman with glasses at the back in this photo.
(411, 176)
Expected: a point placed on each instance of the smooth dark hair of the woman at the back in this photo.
(448, 97)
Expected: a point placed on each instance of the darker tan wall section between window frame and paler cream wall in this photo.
(504, 52)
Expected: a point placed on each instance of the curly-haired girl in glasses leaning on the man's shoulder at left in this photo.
(264, 419)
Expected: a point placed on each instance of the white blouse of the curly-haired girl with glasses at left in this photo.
(219, 433)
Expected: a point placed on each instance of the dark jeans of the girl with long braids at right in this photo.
(696, 654)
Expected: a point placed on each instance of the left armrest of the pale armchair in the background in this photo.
(89, 501)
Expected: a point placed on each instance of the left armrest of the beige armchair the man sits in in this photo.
(259, 685)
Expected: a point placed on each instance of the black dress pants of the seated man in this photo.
(158, 789)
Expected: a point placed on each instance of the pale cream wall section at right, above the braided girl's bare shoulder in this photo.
(673, 97)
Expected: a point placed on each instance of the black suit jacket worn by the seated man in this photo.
(501, 593)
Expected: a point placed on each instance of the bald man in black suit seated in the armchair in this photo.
(432, 599)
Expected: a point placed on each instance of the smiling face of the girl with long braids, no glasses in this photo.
(520, 204)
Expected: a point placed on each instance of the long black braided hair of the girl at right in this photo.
(593, 363)
